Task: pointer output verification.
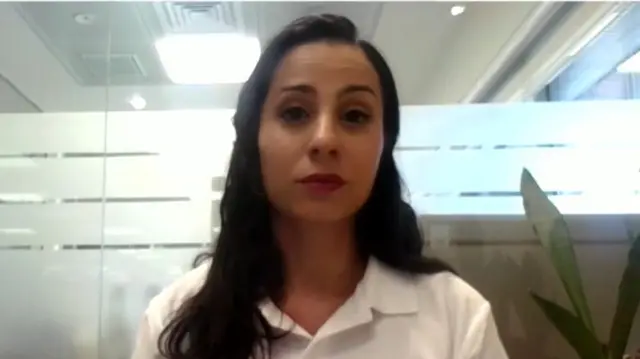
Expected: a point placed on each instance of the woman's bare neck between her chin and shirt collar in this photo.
(319, 258)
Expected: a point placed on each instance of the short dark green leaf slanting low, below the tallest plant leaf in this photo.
(572, 329)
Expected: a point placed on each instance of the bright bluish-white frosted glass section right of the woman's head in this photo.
(467, 160)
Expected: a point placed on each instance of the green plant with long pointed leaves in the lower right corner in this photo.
(575, 324)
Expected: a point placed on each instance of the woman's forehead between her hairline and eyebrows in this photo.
(321, 64)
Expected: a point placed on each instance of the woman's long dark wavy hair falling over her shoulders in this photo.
(222, 320)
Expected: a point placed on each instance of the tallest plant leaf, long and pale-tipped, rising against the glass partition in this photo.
(553, 232)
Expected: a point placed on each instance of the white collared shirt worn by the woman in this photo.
(389, 316)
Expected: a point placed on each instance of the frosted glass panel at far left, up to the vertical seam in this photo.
(50, 302)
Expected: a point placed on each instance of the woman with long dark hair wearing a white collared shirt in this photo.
(318, 256)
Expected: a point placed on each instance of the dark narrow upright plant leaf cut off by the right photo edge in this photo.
(628, 302)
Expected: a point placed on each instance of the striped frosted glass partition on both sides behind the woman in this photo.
(88, 237)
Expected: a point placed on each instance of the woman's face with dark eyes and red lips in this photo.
(321, 132)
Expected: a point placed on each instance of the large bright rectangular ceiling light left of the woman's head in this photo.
(201, 59)
